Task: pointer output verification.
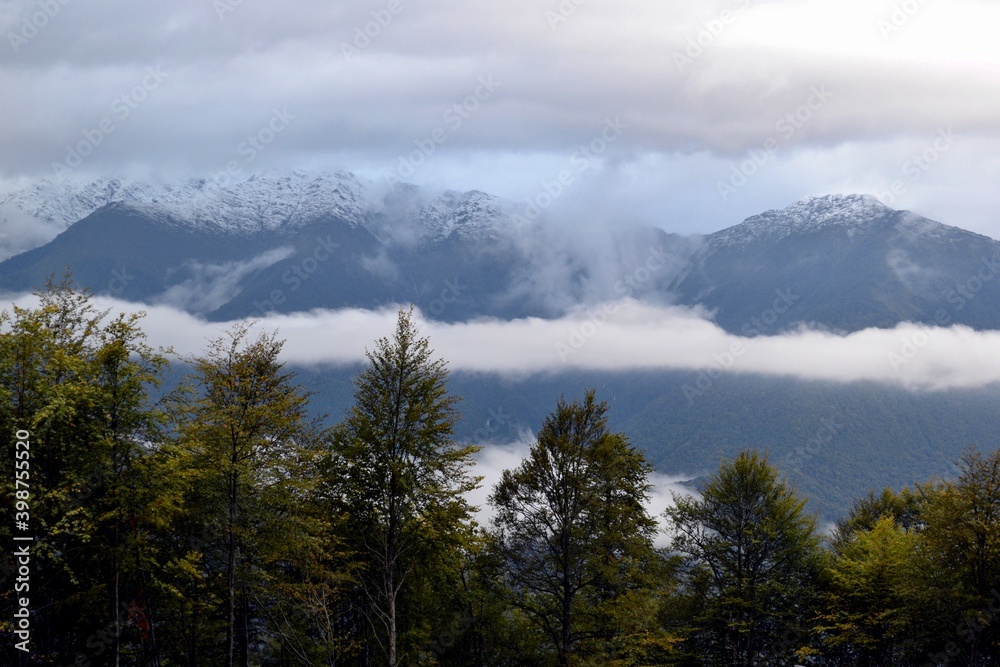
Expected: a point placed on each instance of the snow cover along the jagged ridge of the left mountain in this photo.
(261, 203)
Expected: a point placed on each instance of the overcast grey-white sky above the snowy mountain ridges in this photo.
(694, 115)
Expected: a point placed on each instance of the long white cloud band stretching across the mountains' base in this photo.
(621, 335)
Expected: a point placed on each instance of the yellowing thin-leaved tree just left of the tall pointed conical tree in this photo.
(243, 436)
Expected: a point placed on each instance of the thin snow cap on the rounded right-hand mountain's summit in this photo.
(851, 213)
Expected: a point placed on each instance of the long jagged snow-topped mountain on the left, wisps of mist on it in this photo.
(300, 241)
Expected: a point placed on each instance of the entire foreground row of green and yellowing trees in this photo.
(221, 522)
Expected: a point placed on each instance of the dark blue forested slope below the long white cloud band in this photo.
(833, 442)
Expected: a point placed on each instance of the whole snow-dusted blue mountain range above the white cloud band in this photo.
(303, 240)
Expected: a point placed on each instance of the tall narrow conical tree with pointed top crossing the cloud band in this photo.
(400, 478)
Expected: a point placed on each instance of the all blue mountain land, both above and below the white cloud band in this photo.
(298, 241)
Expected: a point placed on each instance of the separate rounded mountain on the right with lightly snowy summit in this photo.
(844, 262)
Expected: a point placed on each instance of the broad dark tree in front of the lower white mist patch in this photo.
(571, 532)
